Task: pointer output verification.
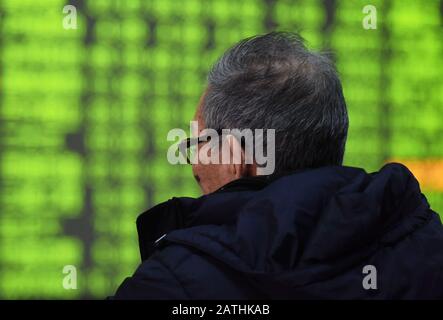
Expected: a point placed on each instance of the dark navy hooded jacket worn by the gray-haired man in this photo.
(307, 235)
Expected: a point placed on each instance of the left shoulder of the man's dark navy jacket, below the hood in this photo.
(181, 272)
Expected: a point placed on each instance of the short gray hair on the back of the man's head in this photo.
(273, 81)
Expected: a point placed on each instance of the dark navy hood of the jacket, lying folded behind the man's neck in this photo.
(294, 230)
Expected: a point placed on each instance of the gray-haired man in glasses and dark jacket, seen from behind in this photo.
(313, 229)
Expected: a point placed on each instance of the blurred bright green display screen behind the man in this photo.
(84, 115)
